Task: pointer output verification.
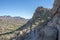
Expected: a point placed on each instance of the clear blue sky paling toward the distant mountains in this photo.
(22, 8)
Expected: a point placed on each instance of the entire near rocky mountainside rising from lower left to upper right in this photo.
(44, 25)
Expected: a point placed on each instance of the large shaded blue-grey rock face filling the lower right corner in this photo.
(51, 31)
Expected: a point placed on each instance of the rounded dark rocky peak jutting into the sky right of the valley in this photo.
(40, 12)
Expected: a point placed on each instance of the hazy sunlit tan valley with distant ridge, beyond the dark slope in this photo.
(8, 23)
